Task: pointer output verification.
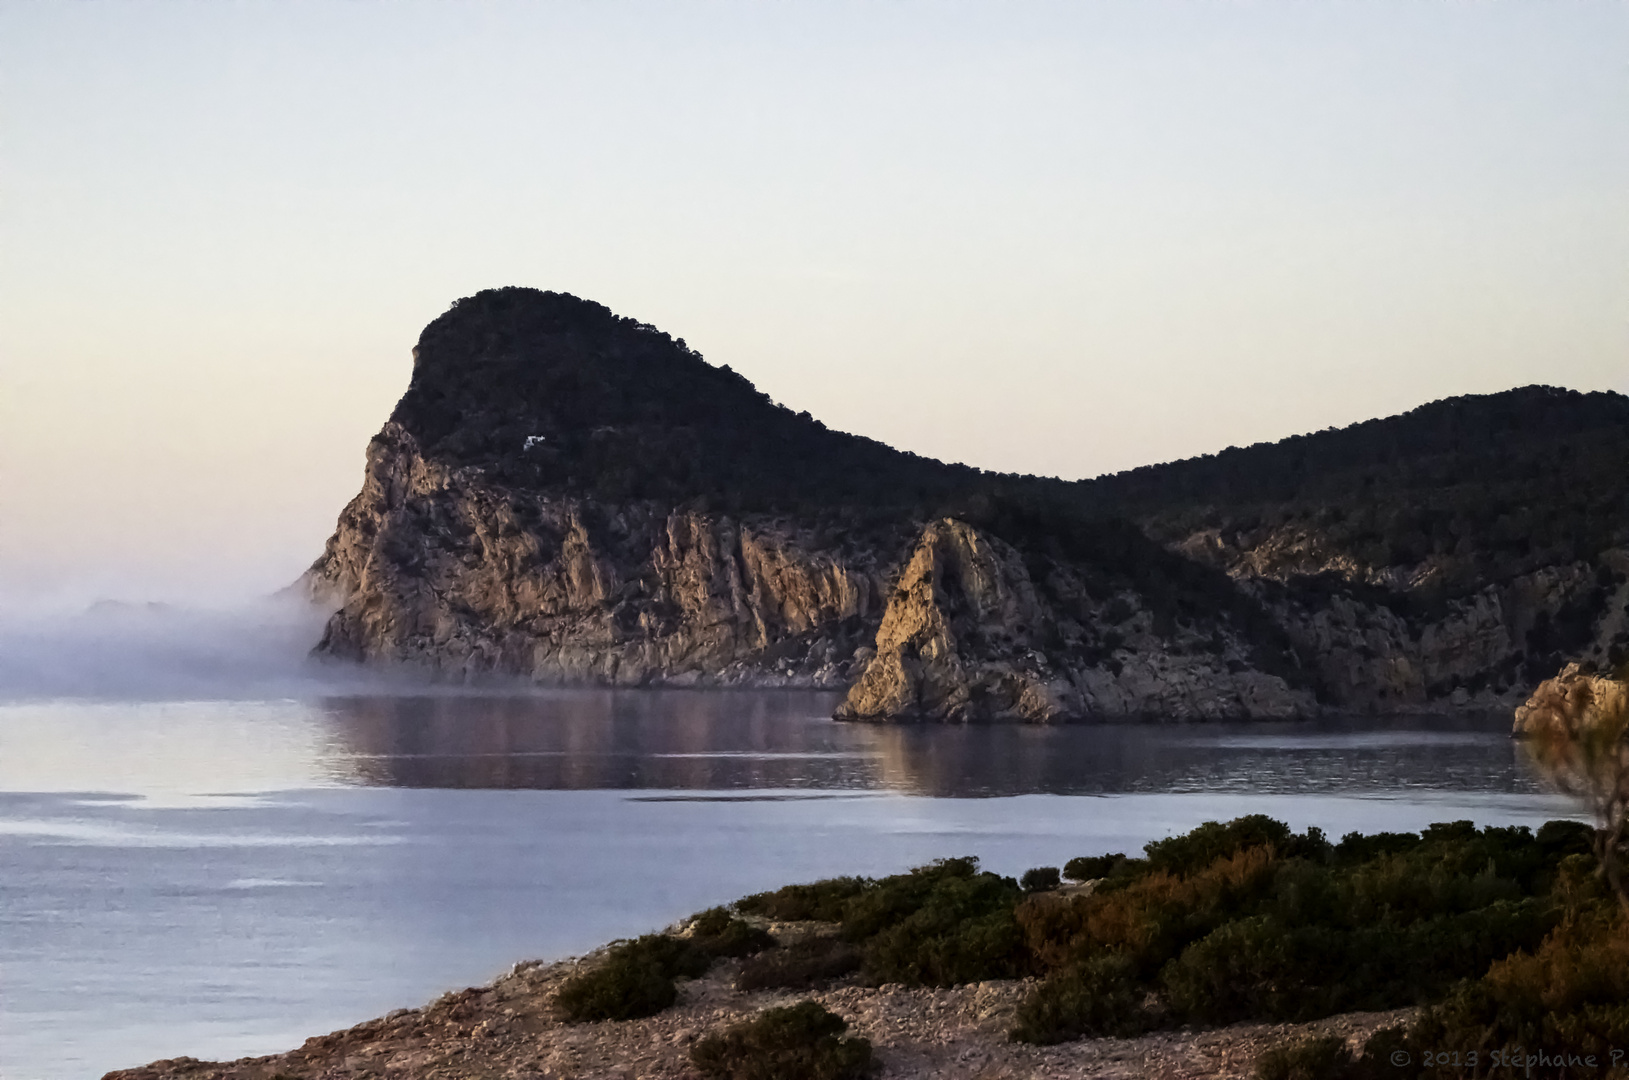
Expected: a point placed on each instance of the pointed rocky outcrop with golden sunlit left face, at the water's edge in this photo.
(970, 636)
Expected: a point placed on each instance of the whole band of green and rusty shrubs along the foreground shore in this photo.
(1506, 934)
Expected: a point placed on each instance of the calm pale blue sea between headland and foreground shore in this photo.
(227, 879)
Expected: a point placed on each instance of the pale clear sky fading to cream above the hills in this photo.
(1060, 239)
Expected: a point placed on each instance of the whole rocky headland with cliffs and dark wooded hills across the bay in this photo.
(569, 496)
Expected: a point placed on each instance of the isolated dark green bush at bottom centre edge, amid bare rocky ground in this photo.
(797, 1043)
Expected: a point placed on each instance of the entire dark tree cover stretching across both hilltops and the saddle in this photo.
(617, 408)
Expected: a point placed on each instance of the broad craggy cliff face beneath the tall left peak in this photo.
(439, 568)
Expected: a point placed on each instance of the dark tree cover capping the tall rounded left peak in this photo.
(555, 393)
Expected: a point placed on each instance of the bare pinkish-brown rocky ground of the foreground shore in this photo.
(511, 1030)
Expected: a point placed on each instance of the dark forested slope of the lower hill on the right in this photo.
(1486, 486)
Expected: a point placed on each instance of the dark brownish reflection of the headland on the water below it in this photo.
(783, 740)
